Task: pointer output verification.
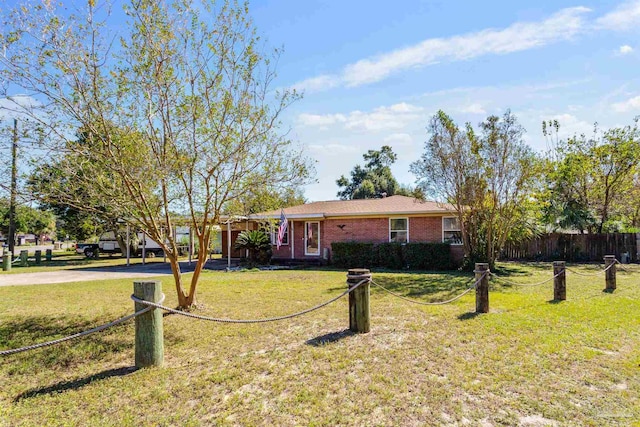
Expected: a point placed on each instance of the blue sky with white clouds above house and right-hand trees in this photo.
(374, 72)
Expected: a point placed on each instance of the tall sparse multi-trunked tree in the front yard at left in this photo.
(179, 119)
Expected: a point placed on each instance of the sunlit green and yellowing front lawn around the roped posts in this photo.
(529, 360)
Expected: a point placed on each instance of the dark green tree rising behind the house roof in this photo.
(373, 179)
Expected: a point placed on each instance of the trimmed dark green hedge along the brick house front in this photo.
(397, 256)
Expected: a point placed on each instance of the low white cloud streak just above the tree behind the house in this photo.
(396, 116)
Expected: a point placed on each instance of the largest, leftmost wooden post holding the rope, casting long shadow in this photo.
(149, 333)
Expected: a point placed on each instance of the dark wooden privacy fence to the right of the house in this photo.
(576, 247)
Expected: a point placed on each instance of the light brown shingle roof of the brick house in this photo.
(393, 205)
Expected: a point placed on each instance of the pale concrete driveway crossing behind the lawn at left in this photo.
(87, 274)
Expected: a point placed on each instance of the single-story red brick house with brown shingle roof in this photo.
(314, 226)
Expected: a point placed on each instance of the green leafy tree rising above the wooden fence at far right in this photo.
(591, 180)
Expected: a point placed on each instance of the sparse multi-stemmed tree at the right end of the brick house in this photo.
(488, 177)
